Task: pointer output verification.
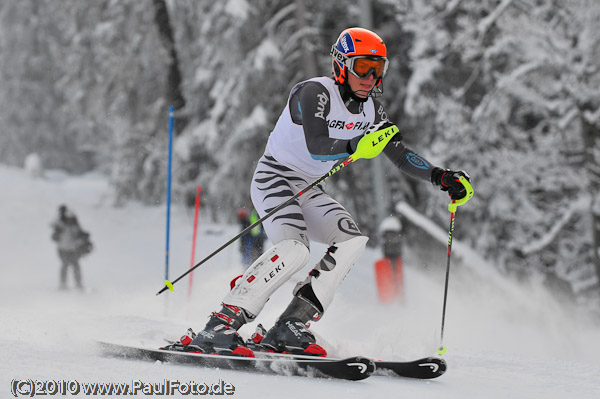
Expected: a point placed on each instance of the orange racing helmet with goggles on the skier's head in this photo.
(361, 52)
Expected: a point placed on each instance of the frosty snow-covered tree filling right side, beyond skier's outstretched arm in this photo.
(513, 91)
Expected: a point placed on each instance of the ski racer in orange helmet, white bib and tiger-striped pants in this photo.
(323, 122)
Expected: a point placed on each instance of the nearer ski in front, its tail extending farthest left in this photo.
(353, 368)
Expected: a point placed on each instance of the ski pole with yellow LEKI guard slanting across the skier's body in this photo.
(366, 149)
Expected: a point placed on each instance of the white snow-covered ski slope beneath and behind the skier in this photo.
(503, 340)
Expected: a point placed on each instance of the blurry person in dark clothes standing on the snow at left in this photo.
(72, 243)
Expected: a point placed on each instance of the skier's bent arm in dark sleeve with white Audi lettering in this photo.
(309, 107)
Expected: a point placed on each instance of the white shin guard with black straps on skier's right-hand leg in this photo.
(328, 274)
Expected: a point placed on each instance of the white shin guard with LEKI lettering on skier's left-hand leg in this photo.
(267, 274)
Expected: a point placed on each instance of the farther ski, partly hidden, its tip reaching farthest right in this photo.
(424, 368)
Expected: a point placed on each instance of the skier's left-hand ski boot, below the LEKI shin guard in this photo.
(220, 335)
